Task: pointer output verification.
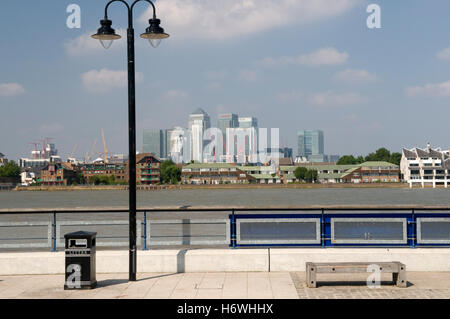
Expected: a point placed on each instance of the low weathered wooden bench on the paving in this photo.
(397, 269)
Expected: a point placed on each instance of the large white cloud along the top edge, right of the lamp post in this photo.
(218, 19)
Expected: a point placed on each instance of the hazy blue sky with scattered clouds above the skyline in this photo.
(292, 64)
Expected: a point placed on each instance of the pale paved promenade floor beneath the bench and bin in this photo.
(231, 285)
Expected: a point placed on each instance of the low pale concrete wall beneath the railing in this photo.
(227, 260)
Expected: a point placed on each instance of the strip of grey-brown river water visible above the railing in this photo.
(227, 197)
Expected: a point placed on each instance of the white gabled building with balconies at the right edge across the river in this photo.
(426, 167)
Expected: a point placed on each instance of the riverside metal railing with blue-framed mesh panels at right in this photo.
(240, 227)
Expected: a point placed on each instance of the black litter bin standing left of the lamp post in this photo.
(80, 260)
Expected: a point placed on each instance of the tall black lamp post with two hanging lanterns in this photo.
(106, 34)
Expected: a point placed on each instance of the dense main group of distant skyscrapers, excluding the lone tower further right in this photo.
(234, 139)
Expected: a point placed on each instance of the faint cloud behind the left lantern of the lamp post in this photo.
(85, 45)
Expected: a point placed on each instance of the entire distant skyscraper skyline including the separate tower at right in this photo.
(233, 140)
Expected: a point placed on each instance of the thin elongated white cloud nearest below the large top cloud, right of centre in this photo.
(325, 56)
